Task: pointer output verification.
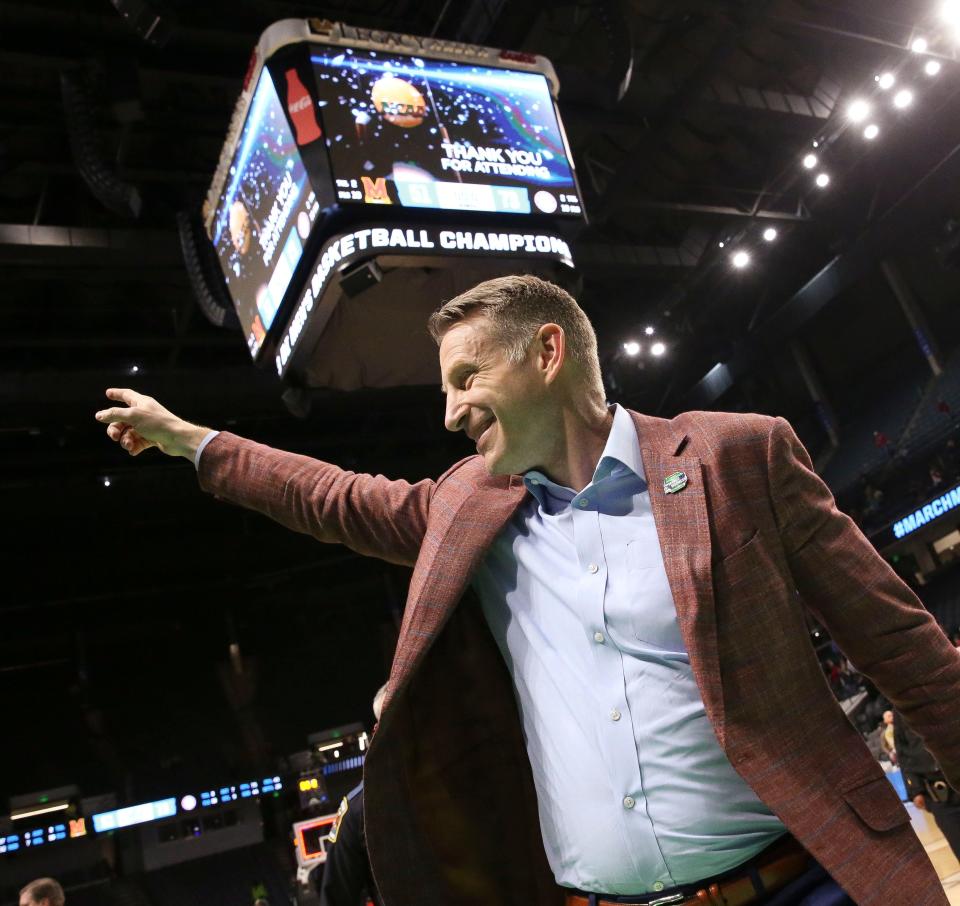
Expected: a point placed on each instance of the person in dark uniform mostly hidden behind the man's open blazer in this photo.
(347, 879)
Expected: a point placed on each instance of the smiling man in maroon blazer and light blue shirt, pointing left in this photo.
(578, 709)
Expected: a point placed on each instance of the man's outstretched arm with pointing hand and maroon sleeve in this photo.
(370, 514)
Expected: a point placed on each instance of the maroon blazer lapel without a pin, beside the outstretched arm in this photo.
(457, 551)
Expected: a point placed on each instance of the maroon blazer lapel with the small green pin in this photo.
(684, 533)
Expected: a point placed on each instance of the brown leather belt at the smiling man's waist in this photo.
(774, 868)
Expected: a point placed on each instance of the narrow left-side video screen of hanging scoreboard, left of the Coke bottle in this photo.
(264, 214)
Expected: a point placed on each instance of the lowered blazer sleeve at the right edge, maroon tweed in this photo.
(873, 616)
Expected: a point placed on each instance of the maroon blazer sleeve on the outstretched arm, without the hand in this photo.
(370, 514)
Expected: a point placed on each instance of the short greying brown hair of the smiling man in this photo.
(516, 307)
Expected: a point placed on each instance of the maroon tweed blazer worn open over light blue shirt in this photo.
(751, 541)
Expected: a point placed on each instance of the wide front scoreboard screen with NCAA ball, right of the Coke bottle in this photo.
(425, 133)
